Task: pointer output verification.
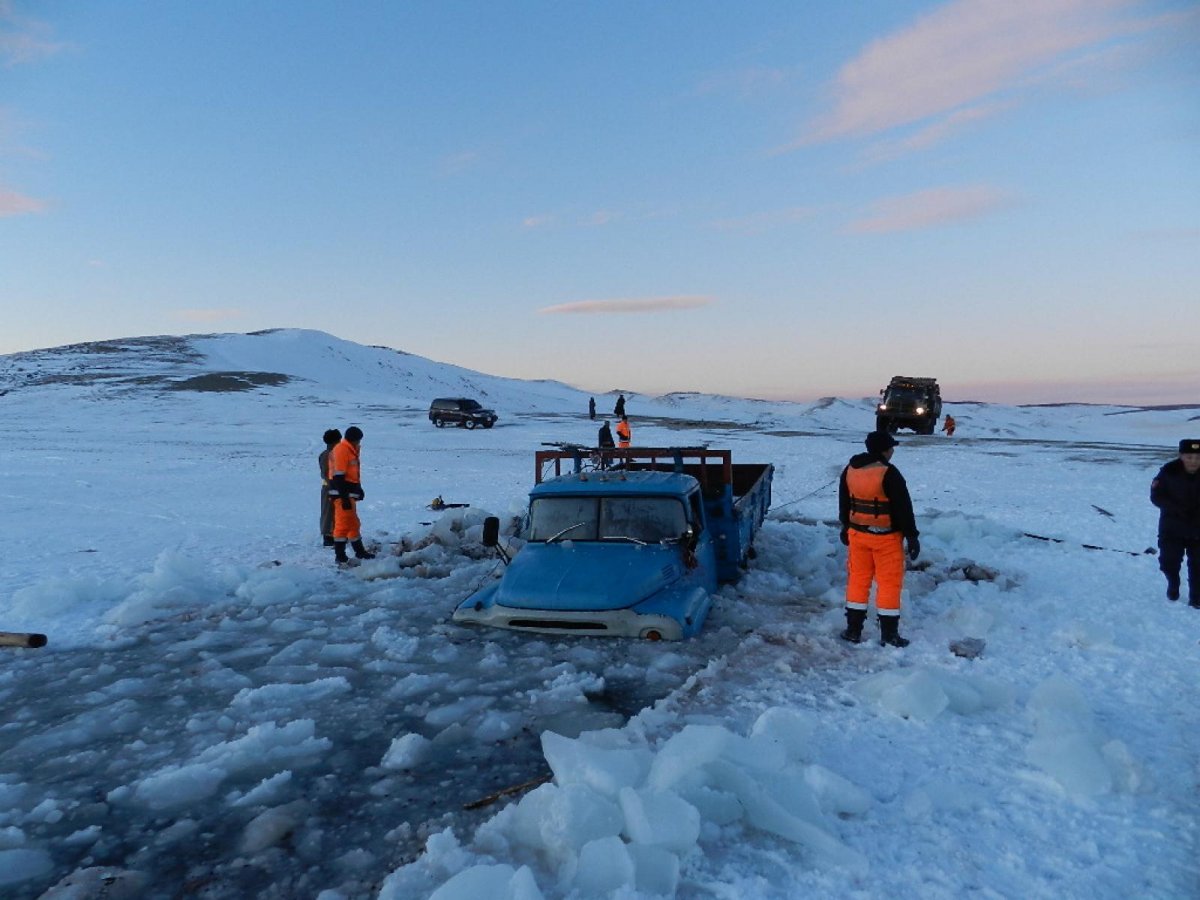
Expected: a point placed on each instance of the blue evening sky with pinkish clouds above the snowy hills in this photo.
(765, 200)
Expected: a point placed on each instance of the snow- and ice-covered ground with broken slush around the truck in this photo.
(220, 713)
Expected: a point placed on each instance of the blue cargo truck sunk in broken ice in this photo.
(634, 548)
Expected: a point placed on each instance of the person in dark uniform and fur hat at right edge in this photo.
(1177, 493)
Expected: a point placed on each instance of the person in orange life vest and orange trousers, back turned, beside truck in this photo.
(877, 518)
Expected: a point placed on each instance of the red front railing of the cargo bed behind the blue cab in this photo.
(712, 469)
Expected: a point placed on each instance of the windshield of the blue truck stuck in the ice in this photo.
(590, 519)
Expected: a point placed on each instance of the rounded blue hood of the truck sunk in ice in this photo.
(583, 577)
